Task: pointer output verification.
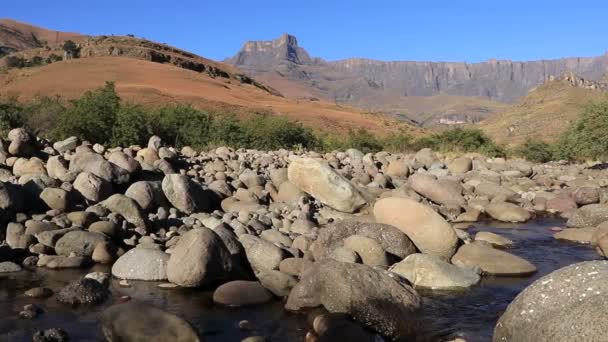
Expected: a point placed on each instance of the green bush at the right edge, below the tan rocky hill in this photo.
(587, 138)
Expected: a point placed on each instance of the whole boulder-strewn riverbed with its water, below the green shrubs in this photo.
(164, 244)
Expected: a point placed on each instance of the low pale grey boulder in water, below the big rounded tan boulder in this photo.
(431, 272)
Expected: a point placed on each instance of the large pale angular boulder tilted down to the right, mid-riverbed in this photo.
(318, 179)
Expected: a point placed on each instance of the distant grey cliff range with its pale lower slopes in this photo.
(393, 86)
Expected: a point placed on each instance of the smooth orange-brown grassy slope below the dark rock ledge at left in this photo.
(151, 83)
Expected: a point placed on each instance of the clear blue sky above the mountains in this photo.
(449, 30)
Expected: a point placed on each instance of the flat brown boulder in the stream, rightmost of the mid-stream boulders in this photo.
(492, 261)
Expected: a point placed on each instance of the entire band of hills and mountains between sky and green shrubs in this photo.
(511, 101)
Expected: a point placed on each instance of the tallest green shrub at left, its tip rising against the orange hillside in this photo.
(91, 117)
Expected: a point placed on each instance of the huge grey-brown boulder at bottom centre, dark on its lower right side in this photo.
(370, 296)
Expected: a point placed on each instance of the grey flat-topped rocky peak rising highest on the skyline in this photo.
(267, 54)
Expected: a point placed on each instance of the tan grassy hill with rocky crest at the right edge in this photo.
(546, 111)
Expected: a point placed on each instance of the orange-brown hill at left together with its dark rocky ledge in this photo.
(154, 74)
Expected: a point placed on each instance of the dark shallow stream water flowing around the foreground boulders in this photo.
(471, 314)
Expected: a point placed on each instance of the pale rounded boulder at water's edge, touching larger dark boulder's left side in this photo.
(142, 264)
